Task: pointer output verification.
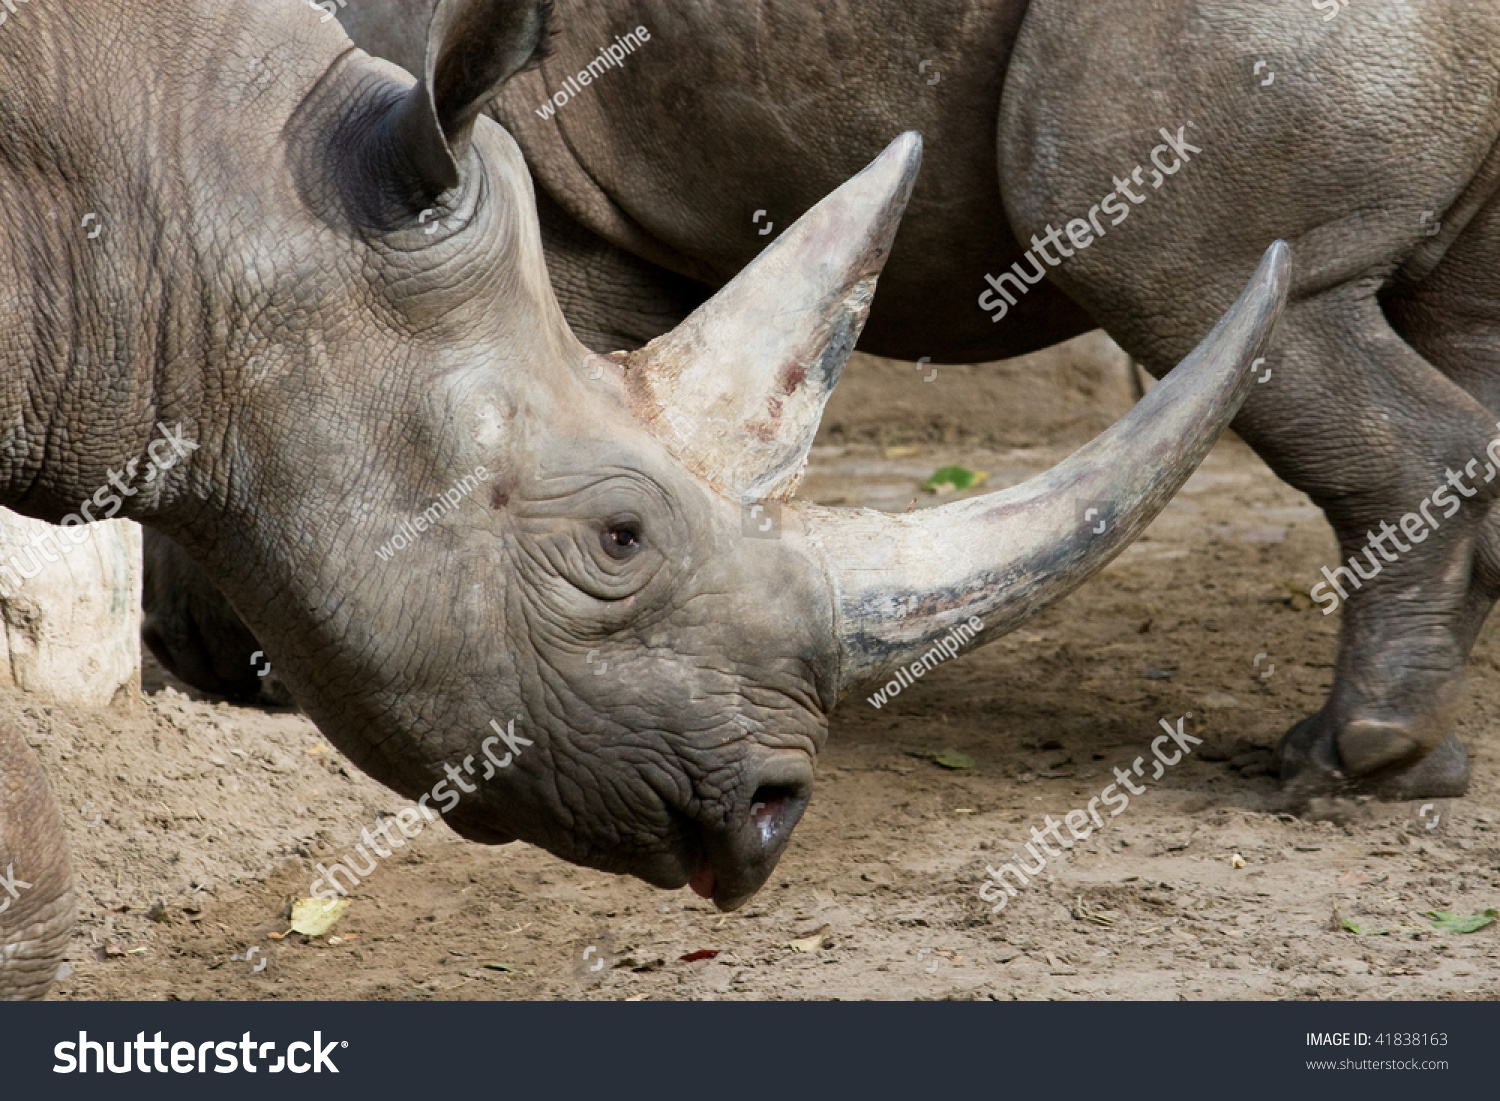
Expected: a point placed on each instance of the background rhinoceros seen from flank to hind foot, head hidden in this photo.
(1379, 125)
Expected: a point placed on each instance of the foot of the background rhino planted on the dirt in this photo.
(1367, 758)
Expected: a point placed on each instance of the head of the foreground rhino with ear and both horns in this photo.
(562, 596)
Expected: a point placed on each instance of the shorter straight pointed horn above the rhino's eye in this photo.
(737, 391)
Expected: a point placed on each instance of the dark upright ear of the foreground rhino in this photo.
(473, 49)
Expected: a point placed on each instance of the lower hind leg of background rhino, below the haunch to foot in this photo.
(1370, 431)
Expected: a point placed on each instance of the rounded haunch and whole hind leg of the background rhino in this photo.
(1354, 415)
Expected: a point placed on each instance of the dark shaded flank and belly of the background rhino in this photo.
(734, 109)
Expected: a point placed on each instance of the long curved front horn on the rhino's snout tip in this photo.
(911, 589)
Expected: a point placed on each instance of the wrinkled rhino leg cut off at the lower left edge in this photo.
(37, 884)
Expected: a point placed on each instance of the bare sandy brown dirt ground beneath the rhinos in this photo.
(196, 823)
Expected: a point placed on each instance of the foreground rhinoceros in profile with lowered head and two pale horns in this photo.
(323, 278)
